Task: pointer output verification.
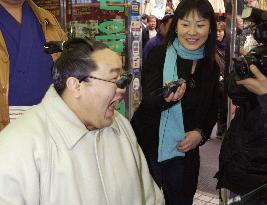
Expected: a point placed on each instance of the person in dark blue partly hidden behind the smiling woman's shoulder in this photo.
(158, 39)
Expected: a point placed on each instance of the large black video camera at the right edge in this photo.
(257, 55)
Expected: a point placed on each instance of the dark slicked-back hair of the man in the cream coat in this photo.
(75, 61)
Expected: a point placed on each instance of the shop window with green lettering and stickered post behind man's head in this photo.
(117, 24)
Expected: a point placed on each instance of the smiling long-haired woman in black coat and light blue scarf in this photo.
(171, 129)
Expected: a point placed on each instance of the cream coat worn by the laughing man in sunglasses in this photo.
(48, 157)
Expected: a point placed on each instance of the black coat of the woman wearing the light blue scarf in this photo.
(199, 106)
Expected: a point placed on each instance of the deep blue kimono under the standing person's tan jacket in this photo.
(30, 66)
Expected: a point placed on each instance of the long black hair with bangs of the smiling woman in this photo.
(205, 10)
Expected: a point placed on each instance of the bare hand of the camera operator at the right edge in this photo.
(256, 85)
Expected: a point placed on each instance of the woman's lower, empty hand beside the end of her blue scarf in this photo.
(191, 141)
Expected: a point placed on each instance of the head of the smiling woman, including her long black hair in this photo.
(194, 24)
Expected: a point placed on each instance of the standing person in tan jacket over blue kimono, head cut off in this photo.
(25, 73)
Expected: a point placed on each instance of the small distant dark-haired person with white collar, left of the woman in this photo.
(150, 31)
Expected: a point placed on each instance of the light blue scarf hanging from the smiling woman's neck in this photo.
(171, 130)
